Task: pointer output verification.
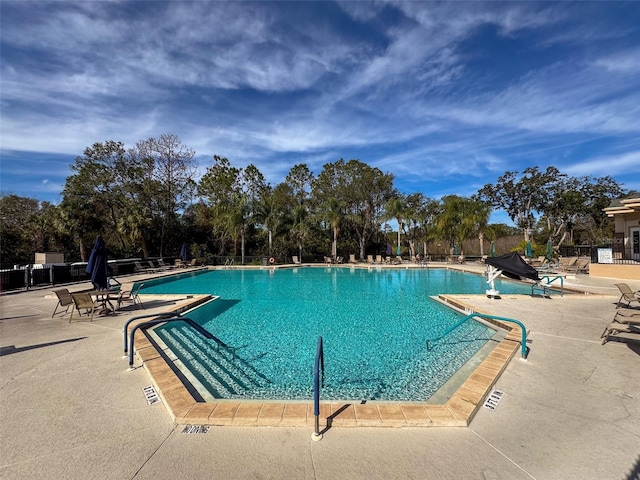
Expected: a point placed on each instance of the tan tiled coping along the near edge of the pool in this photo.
(458, 411)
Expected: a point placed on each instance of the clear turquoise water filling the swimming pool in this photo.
(374, 325)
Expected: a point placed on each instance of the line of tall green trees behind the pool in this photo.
(146, 201)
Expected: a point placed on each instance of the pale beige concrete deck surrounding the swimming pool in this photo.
(70, 409)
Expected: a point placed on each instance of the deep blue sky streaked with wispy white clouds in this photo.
(446, 96)
